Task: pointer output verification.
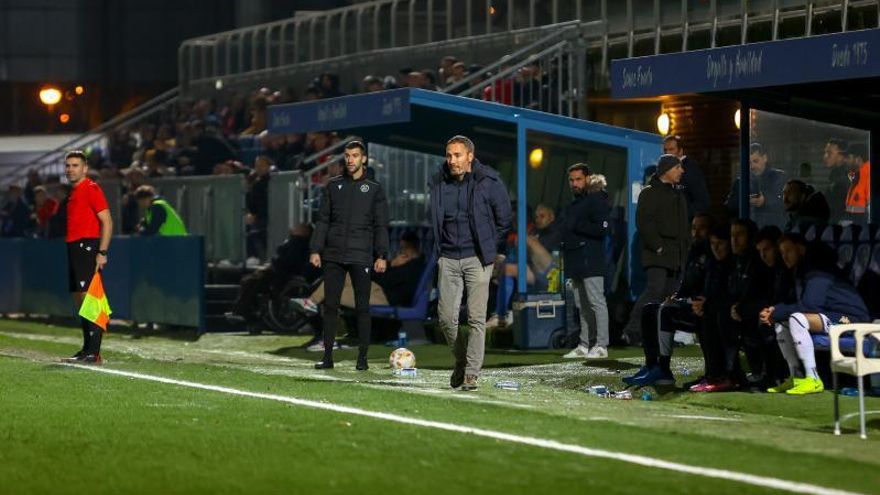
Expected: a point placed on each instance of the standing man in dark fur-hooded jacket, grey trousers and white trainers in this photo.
(584, 228)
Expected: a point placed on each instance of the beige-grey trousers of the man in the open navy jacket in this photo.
(453, 277)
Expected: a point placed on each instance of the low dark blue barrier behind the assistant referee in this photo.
(147, 279)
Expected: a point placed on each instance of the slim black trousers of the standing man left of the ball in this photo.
(334, 281)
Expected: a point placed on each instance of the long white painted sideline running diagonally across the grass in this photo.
(750, 479)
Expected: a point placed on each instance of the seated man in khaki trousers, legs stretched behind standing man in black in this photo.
(395, 287)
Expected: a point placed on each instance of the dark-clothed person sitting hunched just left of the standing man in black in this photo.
(289, 266)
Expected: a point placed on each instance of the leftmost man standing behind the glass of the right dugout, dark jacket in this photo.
(765, 190)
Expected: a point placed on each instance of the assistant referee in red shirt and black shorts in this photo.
(89, 228)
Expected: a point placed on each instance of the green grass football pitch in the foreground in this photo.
(68, 430)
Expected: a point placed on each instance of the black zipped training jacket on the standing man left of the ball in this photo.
(352, 224)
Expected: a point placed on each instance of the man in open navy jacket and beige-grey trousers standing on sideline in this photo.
(470, 218)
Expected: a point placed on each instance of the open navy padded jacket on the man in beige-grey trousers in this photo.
(489, 212)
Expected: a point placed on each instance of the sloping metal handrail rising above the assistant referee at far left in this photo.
(52, 162)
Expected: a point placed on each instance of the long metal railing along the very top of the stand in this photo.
(632, 27)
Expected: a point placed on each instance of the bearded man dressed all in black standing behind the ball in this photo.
(351, 237)
